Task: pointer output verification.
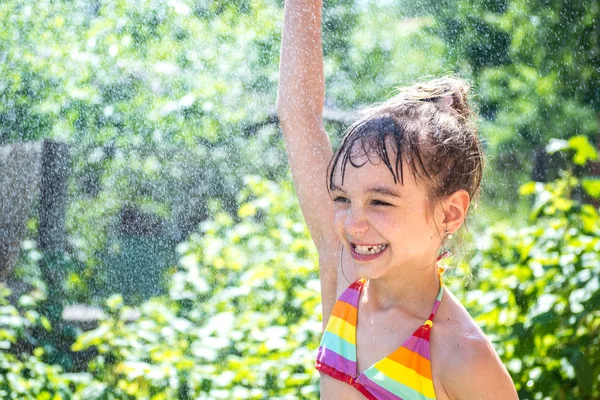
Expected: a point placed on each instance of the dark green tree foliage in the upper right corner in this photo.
(534, 65)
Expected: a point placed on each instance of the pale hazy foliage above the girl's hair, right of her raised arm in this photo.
(385, 48)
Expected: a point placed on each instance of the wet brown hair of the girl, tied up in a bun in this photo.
(431, 127)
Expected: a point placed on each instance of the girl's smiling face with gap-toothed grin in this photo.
(385, 226)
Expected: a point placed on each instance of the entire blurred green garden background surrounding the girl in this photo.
(180, 221)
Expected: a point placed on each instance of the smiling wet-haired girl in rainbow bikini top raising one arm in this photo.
(379, 211)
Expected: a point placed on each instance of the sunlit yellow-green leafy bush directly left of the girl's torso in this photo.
(242, 318)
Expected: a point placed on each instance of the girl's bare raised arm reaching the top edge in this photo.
(300, 110)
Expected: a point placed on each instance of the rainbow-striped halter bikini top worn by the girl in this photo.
(405, 374)
